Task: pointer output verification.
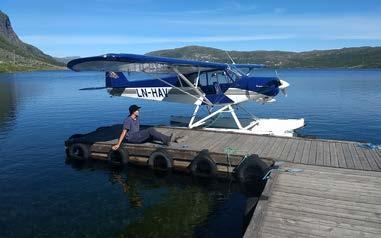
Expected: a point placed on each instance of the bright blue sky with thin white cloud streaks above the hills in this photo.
(85, 28)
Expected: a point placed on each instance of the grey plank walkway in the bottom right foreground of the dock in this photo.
(319, 202)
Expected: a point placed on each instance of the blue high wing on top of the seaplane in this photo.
(148, 64)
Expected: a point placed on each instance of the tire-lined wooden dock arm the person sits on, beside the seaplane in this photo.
(330, 153)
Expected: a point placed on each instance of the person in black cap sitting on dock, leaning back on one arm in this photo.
(132, 134)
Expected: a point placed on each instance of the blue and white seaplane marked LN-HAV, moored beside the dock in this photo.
(218, 87)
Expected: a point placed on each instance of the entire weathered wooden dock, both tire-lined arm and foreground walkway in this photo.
(336, 193)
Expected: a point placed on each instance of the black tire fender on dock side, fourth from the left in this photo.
(203, 165)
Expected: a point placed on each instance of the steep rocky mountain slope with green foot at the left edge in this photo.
(16, 55)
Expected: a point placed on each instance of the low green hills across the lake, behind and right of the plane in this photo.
(355, 57)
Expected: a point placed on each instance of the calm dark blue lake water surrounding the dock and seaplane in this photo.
(41, 195)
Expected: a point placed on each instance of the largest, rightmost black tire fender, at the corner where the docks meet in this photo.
(251, 169)
